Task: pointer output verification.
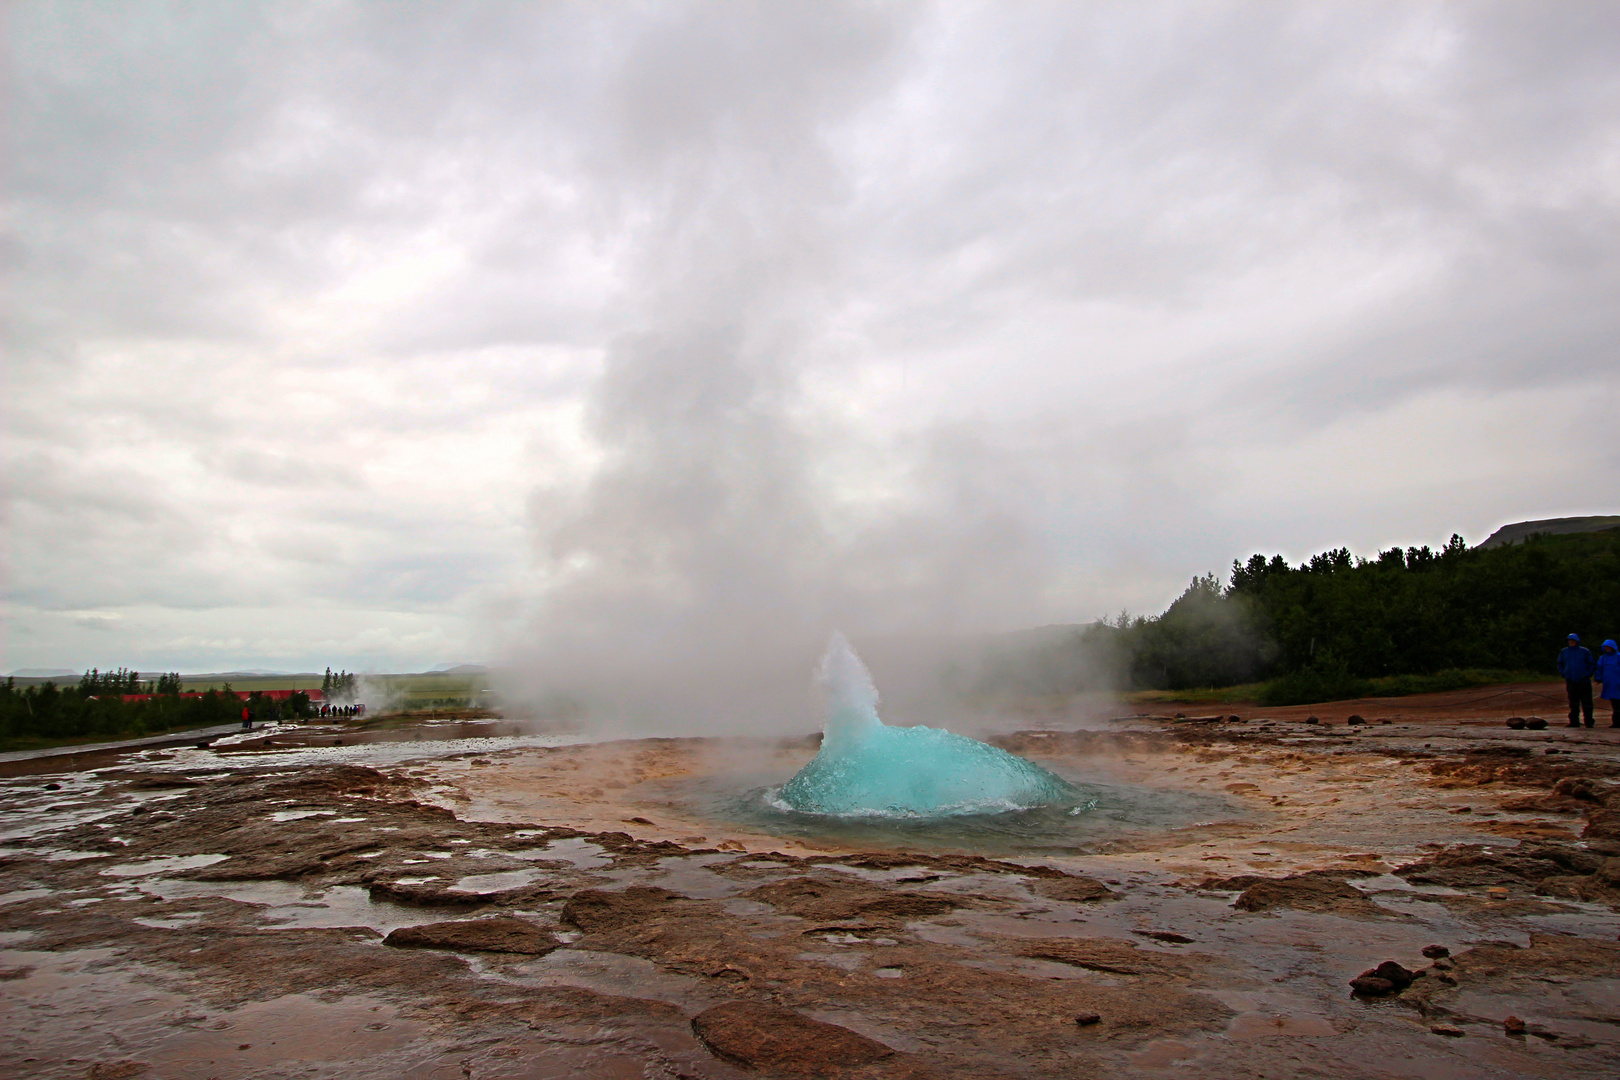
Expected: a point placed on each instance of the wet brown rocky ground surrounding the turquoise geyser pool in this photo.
(553, 912)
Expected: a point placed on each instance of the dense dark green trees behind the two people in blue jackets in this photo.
(1324, 629)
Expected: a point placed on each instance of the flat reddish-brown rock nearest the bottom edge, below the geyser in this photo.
(782, 1042)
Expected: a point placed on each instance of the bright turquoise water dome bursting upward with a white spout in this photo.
(868, 768)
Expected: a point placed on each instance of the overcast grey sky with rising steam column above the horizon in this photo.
(403, 334)
